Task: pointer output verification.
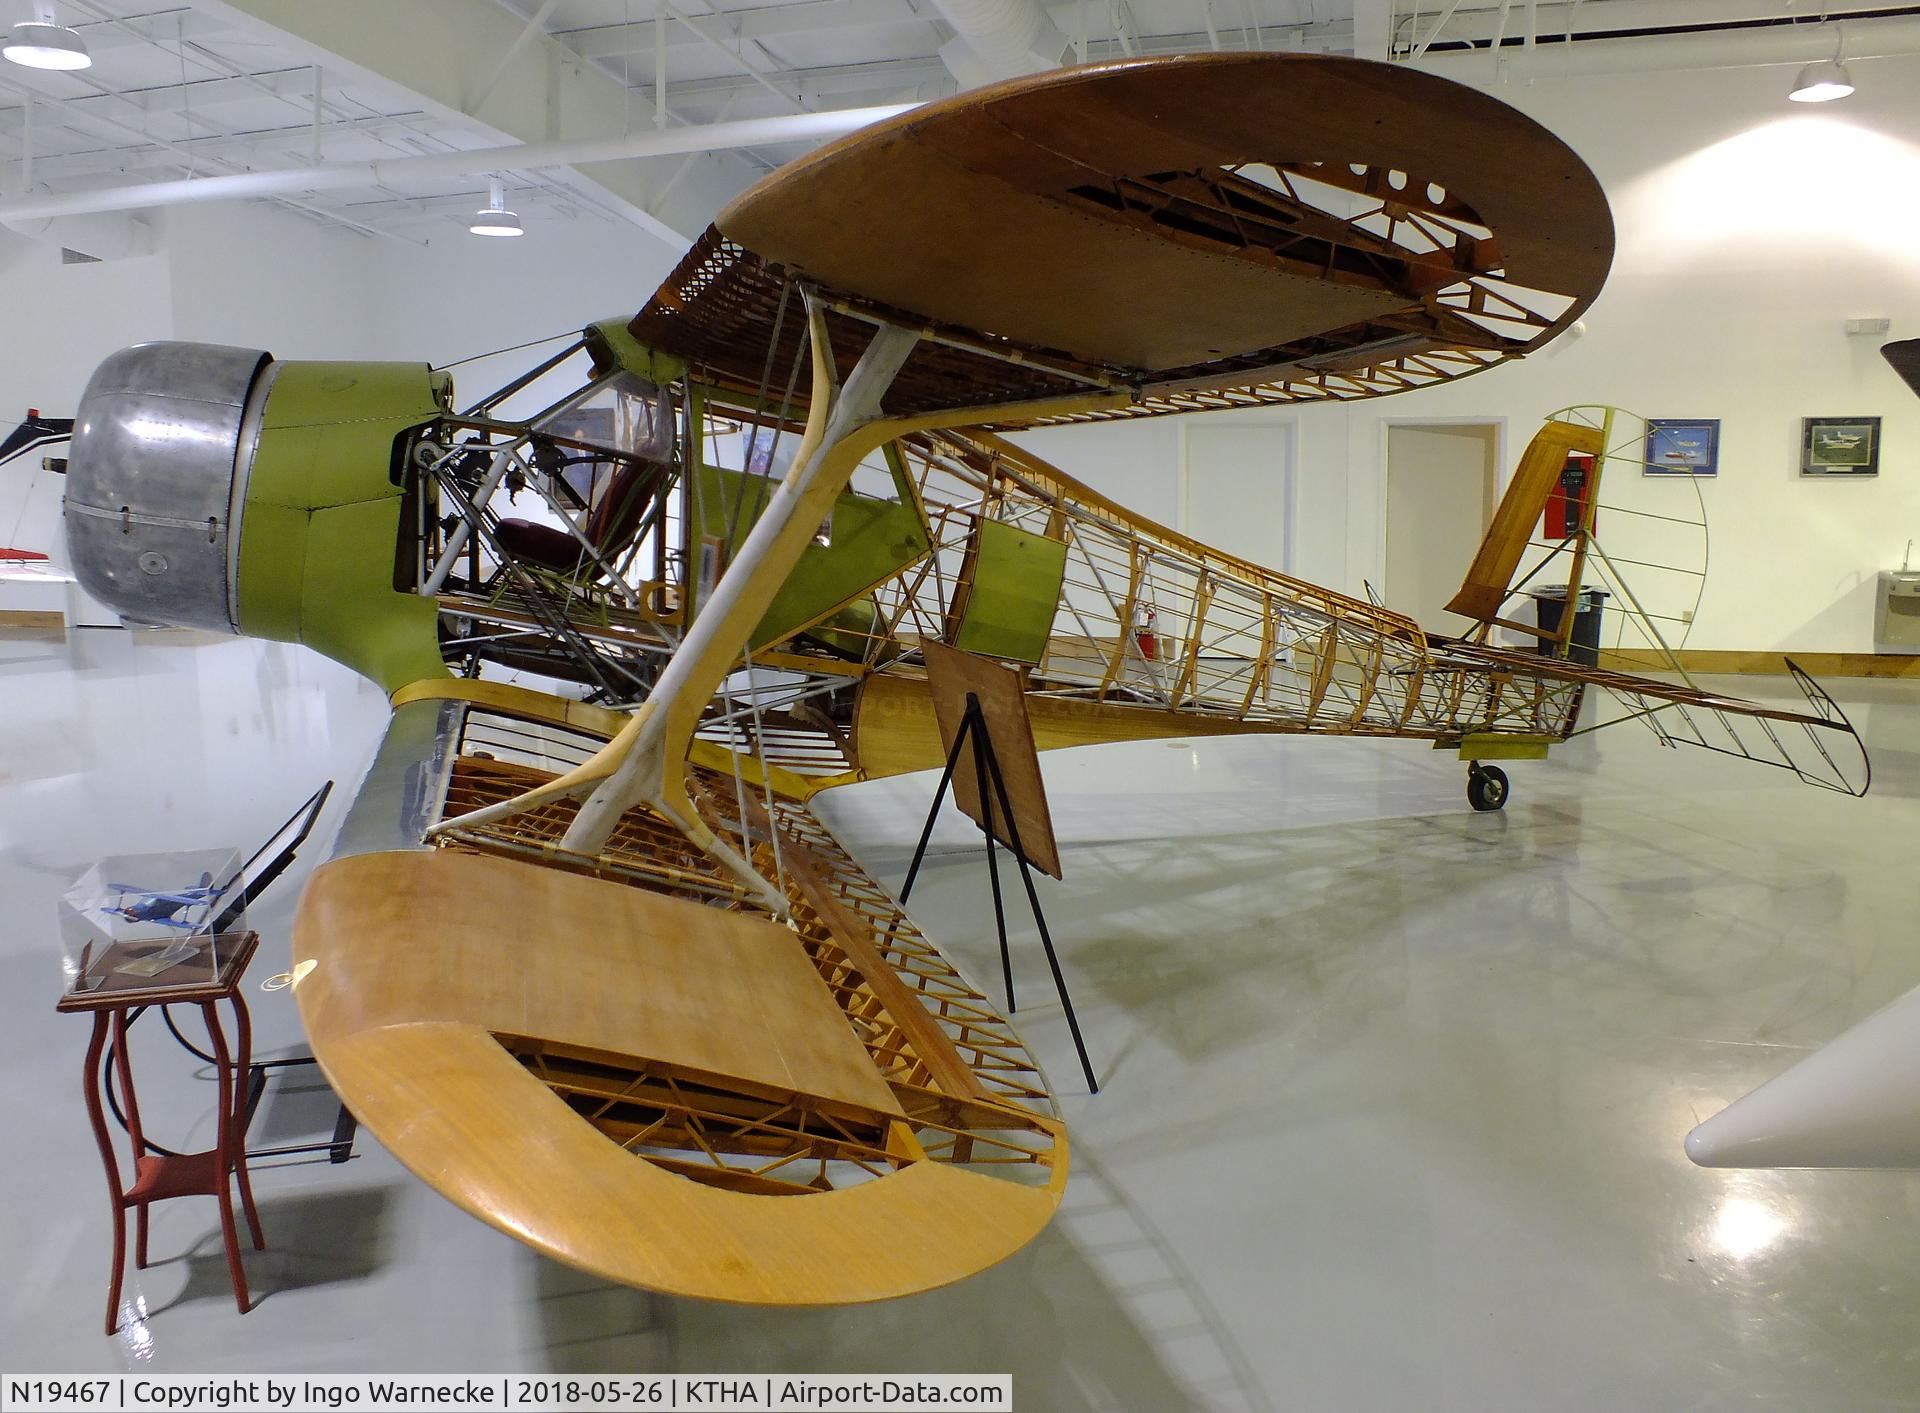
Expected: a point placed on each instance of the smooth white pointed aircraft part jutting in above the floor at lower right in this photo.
(1854, 1103)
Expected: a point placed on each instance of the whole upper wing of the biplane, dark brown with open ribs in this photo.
(1182, 233)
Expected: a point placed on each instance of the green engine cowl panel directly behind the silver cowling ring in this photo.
(322, 519)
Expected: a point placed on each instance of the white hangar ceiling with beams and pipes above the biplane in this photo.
(214, 87)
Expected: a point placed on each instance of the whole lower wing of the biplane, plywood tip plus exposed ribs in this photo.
(683, 1097)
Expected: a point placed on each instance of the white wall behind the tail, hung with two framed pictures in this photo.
(1750, 231)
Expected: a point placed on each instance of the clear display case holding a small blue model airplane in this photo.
(153, 924)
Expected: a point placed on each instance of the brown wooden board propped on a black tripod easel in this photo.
(1003, 706)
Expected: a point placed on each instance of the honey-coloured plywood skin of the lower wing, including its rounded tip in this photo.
(435, 982)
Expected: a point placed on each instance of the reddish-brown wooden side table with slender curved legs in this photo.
(110, 986)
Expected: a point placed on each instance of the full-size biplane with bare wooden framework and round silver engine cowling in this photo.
(587, 961)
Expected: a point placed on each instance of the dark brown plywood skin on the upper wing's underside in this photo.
(994, 210)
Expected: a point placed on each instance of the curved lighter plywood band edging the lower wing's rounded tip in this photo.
(443, 1097)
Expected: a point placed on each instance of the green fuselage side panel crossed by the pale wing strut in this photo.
(869, 542)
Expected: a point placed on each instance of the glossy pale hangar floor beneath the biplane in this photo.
(1393, 1093)
